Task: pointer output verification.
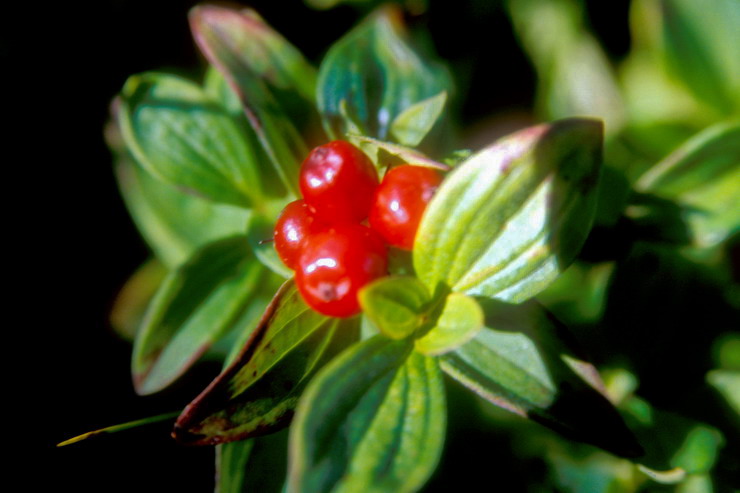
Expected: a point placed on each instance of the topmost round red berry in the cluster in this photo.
(338, 181)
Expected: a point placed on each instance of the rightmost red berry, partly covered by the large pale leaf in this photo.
(400, 201)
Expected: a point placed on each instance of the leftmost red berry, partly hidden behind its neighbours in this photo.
(295, 223)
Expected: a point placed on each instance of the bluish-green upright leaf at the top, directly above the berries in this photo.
(377, 75)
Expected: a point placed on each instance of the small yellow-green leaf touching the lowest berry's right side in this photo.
(396, 305)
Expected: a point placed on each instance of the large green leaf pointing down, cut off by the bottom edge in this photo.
(373, 420)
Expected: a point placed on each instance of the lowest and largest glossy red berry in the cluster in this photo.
(336, 264)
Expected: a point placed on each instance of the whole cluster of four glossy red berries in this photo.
(323, 237)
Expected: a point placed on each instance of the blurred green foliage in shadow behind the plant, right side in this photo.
(654, 294)
